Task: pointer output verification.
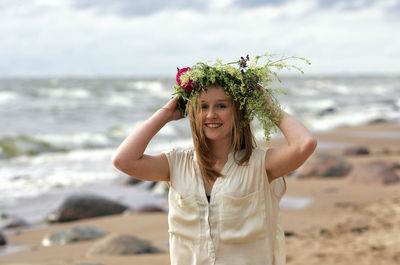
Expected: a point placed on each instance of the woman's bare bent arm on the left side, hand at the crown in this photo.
(130, 157)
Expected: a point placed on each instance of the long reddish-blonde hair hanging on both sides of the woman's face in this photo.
(242, 138)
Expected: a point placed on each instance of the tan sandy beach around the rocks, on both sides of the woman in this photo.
(346, 223)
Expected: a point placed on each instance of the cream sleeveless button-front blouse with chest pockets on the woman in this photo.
(241, 224)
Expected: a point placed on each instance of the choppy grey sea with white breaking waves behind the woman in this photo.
(57, 135)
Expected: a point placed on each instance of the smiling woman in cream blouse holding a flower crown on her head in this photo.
(224, 195)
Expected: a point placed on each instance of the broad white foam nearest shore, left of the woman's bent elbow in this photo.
(31, 176)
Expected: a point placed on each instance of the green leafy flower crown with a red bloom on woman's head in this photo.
(248, 84)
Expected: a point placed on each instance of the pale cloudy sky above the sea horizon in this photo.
(45, 38)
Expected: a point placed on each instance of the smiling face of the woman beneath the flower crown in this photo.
(216, 114)
